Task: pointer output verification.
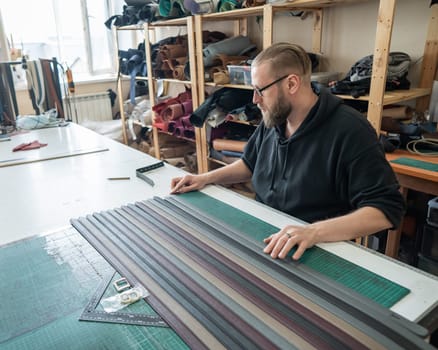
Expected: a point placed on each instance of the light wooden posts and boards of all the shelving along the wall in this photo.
(377, 97)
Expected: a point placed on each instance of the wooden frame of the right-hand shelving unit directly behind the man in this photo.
(377, 97)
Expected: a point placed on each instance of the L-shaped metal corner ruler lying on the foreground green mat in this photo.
(91, 313)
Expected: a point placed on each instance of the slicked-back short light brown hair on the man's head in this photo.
(285, 57)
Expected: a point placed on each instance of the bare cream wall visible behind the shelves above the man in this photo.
(349, 33)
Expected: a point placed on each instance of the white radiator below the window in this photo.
(88, 107)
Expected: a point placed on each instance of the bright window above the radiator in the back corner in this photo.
(72, 31)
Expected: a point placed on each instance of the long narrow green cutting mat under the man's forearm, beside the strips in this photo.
(365, 282)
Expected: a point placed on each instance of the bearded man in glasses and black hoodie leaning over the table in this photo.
(312, 157)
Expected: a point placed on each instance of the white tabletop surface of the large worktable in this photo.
(40, 197)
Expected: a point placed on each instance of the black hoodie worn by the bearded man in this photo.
(330, 166)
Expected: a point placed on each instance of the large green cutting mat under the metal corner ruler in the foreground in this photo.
(45, 284)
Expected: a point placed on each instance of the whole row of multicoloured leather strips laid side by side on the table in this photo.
(191, 252)
